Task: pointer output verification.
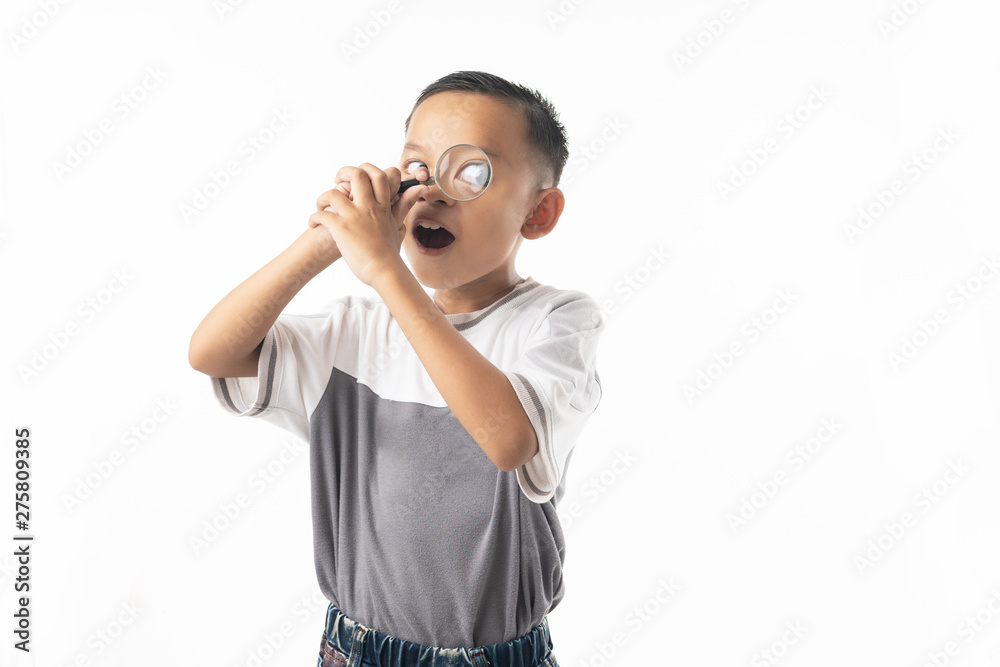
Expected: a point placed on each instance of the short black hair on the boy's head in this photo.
(546, 135)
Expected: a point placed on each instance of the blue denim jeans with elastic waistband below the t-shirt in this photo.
(347, 643)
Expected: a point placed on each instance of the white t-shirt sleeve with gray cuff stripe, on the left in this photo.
(296, 360)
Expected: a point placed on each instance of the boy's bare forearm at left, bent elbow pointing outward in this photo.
(224, 342)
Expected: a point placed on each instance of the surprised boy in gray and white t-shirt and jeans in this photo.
(439, 427)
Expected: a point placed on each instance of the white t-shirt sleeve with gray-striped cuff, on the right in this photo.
(557, 382)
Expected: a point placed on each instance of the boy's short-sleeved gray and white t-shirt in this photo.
(416, 533)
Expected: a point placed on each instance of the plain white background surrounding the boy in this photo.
(652, 138)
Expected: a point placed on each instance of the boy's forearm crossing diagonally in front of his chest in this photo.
(478, 393)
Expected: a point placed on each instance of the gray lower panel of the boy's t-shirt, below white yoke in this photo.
(417, 533)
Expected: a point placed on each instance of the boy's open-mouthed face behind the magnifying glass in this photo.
(488, 229)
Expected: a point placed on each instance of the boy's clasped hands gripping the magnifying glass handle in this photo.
(364, 215)
